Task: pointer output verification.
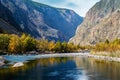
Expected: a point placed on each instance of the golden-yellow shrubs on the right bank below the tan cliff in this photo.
(107, 48)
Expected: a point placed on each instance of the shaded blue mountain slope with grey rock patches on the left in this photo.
(39, 20)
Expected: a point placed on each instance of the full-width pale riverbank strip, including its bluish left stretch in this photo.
(24, 58)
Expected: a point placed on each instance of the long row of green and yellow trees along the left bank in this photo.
(11, 43)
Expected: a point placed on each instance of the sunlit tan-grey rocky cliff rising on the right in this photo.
(101, 22)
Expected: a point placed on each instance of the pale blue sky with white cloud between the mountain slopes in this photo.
(79, 6)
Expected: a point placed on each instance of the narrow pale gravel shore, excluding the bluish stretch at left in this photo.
(106, 58)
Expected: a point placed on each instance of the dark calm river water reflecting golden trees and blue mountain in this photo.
(65, 68)
